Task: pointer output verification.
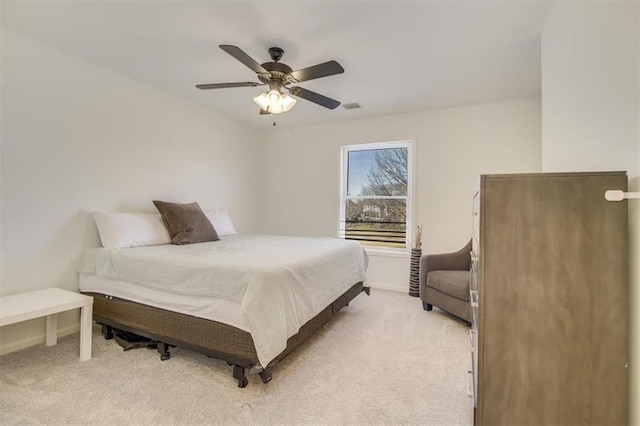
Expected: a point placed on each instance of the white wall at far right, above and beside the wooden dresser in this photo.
(591, 114)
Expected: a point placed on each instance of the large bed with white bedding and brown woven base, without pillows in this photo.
(247, 299)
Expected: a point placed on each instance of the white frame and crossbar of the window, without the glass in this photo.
(345, 150)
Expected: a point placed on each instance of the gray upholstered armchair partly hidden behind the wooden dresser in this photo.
(444, 282)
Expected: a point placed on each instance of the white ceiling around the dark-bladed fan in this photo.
(397, 56)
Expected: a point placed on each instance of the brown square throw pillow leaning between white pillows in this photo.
(186, 223)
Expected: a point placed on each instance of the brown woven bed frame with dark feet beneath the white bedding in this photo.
(208, 337)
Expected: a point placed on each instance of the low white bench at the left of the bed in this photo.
(50, 302)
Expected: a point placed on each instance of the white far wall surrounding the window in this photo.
(452, 147)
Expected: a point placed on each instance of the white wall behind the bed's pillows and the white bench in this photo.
(77, 138)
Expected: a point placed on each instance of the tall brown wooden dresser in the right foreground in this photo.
(549, 293)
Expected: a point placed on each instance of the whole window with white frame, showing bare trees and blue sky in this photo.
(375, 194)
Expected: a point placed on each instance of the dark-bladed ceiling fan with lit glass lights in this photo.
(279, 76)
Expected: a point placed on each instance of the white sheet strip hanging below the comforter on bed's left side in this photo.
(211, 308)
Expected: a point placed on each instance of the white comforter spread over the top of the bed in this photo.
(280, 282)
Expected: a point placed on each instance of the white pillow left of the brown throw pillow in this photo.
(121, 230)
